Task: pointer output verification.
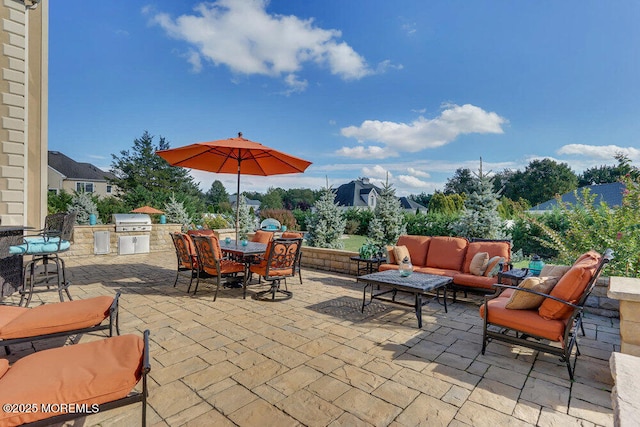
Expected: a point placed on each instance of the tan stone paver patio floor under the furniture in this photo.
(316, 360)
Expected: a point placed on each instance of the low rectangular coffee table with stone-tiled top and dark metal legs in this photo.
(418, 284)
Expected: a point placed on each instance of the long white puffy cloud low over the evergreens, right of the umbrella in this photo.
(425, 133)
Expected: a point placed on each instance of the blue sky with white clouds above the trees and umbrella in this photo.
(412, 89)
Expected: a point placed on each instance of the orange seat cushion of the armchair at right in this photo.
(527, 321)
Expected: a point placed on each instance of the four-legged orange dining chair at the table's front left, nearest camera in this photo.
(212, 263)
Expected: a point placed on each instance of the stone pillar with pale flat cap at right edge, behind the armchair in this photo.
(627, 291)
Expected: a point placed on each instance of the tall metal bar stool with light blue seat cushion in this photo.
(45, 247)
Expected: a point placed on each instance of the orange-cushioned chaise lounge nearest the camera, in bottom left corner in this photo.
(56, 385)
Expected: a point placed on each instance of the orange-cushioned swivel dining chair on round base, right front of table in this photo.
(278, 264)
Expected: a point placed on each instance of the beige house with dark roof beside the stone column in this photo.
(66, 174)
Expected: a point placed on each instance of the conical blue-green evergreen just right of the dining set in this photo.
(326, 225)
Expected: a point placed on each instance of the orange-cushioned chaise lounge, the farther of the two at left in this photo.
(21, 324)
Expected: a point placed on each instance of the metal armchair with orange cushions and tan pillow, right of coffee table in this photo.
(551, 323)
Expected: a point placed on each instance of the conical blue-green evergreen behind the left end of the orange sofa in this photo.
(388, 219)
